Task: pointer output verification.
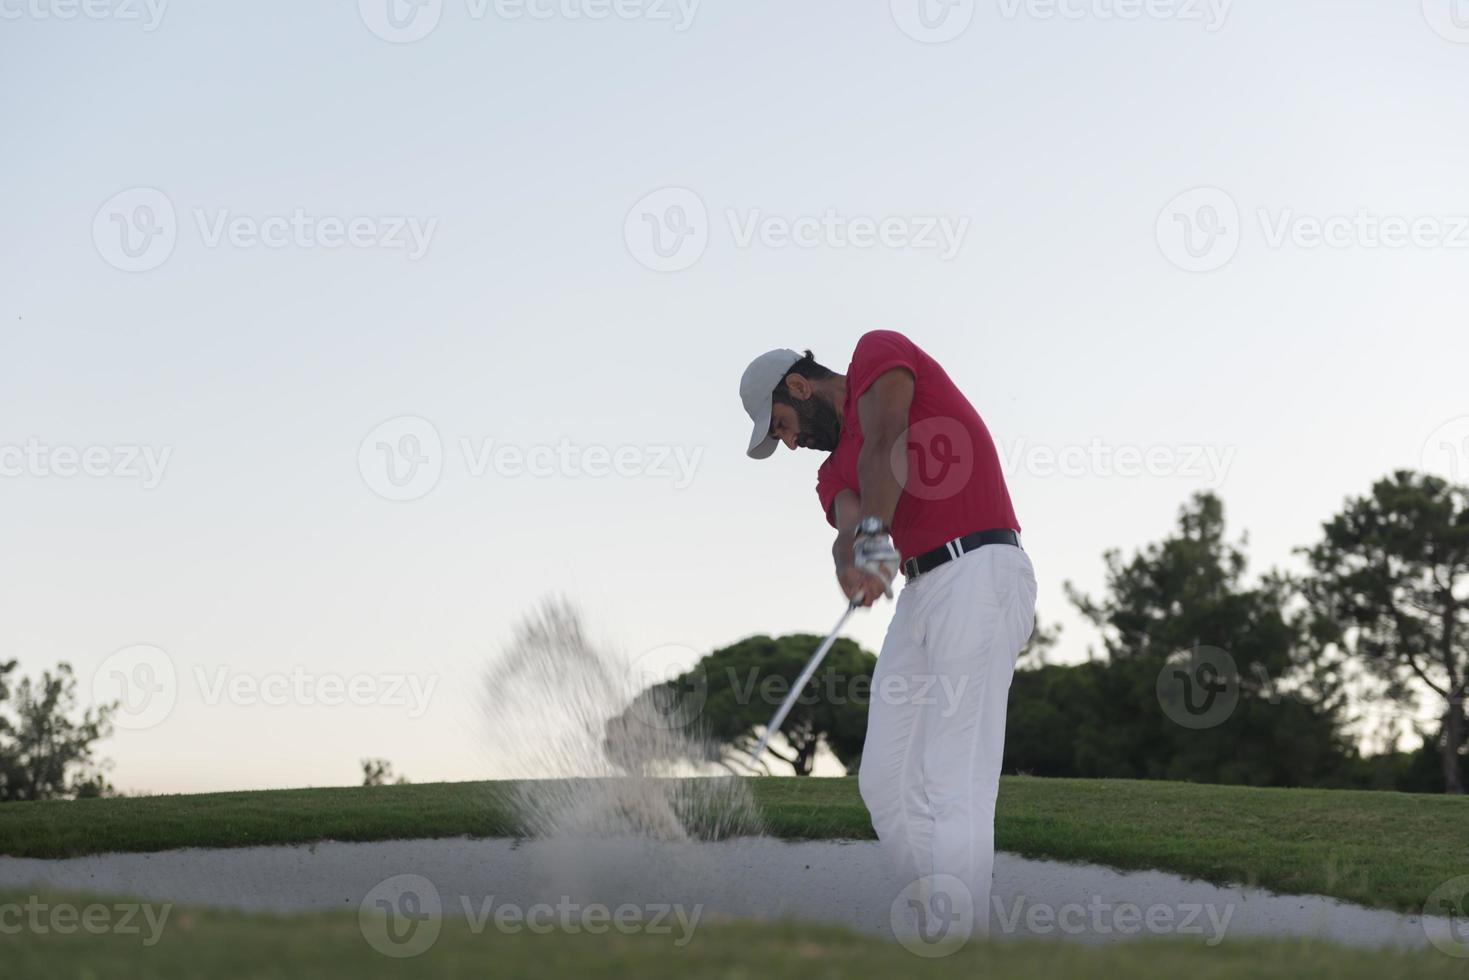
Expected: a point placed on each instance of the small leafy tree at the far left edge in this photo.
(46, 749)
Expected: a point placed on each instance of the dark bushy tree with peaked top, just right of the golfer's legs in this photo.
(1161, 608)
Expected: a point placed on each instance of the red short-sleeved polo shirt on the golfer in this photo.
(956, 484)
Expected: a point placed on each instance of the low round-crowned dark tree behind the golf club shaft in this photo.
(738, 690)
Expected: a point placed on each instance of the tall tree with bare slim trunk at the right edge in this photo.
(1392, 591)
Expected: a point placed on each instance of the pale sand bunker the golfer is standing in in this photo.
(840, 882)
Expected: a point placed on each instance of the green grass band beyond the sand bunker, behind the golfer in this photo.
(1382, 850)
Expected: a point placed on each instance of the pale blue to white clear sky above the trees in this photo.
(336, 337)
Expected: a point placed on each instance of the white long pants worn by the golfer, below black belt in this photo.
(936, 725)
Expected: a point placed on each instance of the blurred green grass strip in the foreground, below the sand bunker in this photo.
(224, 945)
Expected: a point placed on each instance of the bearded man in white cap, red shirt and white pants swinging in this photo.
(913, 483)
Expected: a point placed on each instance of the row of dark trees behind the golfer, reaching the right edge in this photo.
(1205, 674)
